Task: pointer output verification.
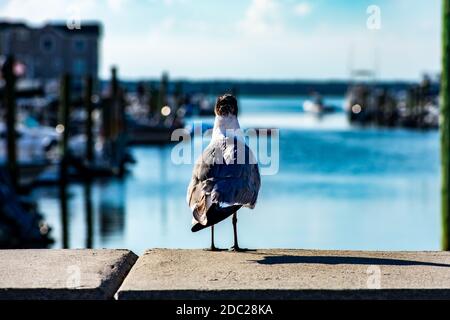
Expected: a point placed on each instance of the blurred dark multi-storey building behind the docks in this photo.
(53, 49)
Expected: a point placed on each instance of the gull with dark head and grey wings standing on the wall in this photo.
(226, 176)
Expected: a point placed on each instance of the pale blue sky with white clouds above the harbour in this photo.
(253, 39)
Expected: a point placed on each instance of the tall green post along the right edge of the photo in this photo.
(445, 125)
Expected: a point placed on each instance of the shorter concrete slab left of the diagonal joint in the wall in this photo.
(63, 274)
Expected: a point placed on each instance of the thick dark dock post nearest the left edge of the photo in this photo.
(10, 106)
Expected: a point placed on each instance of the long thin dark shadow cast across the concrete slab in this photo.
(335, 260)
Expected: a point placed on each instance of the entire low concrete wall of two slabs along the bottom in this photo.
(199, 274)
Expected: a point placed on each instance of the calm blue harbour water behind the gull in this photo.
(338, 187)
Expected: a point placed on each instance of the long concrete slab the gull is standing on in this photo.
(288, 274)
